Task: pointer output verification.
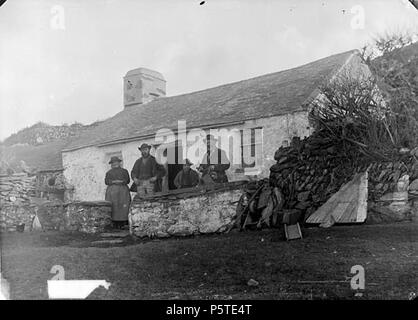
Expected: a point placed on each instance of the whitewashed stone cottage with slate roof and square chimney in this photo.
(270, 110)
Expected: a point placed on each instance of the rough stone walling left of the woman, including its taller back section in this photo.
(23, 196)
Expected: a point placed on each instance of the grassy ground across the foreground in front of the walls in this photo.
(219, 266)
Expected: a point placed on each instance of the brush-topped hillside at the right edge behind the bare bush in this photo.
(393, 60)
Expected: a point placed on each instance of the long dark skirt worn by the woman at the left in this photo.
(120, 197)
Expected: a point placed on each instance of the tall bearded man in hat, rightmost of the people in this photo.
(214, 163)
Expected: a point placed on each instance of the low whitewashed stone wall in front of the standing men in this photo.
(186, 212)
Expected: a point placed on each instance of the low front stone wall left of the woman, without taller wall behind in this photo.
(89, 217)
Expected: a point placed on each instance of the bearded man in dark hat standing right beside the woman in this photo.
(145, 171)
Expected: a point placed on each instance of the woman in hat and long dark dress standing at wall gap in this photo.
(117, 192)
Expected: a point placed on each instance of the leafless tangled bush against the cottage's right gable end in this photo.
(351, 111)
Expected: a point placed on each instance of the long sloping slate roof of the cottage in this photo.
(261, 97)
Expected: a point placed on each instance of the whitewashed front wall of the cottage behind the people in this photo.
(85, 168)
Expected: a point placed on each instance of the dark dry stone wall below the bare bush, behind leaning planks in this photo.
(310, 171)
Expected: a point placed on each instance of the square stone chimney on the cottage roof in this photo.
(141, 86)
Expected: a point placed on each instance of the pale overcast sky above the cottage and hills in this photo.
(63, 61)
